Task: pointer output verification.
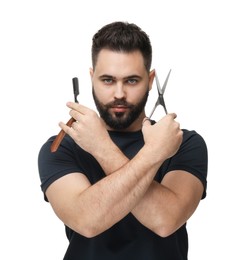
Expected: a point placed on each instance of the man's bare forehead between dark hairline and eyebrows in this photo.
(120, 64)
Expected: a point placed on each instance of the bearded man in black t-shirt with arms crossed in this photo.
(123, 185)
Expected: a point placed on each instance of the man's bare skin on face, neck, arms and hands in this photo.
(128, 185)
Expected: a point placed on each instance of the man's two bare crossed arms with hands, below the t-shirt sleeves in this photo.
(128, 185)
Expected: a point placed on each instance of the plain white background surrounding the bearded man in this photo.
(45, 43)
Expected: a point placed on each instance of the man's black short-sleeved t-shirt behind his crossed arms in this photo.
(127, 239)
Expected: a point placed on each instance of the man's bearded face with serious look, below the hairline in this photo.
(120, 89)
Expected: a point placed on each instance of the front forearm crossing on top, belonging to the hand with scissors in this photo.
(112, 198)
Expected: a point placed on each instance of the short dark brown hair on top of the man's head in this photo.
(122, 37)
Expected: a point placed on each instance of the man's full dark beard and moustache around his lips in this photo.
(120, 120)
